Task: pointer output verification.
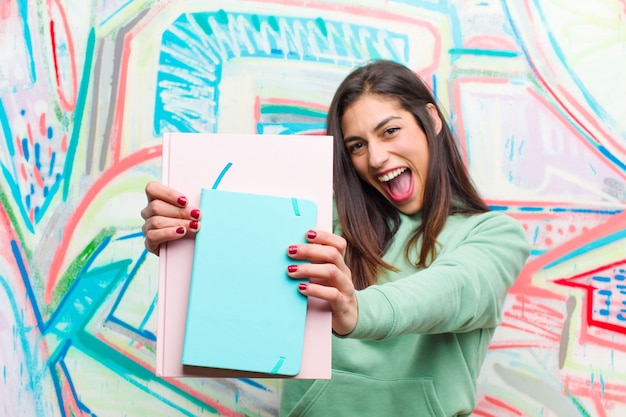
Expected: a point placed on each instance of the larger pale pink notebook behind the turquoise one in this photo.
(261, 164)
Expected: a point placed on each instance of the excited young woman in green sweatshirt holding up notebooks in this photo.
(416, 270)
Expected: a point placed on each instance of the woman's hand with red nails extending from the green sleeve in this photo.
(332, 279)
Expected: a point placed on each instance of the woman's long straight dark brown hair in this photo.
(367, 220)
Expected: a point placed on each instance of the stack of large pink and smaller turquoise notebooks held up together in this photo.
(226, 307)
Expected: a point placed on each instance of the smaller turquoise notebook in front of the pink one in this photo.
(244, 312)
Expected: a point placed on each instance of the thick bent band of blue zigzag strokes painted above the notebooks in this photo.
(194, 48)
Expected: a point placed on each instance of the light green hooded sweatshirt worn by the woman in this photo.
(422, 334)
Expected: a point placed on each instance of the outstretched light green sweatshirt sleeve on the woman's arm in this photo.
(462, 290)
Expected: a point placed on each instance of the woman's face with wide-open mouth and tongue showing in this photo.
(388, 149)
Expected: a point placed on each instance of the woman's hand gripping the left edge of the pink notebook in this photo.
(167, 216)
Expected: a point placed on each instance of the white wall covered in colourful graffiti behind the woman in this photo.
(535, 92)
